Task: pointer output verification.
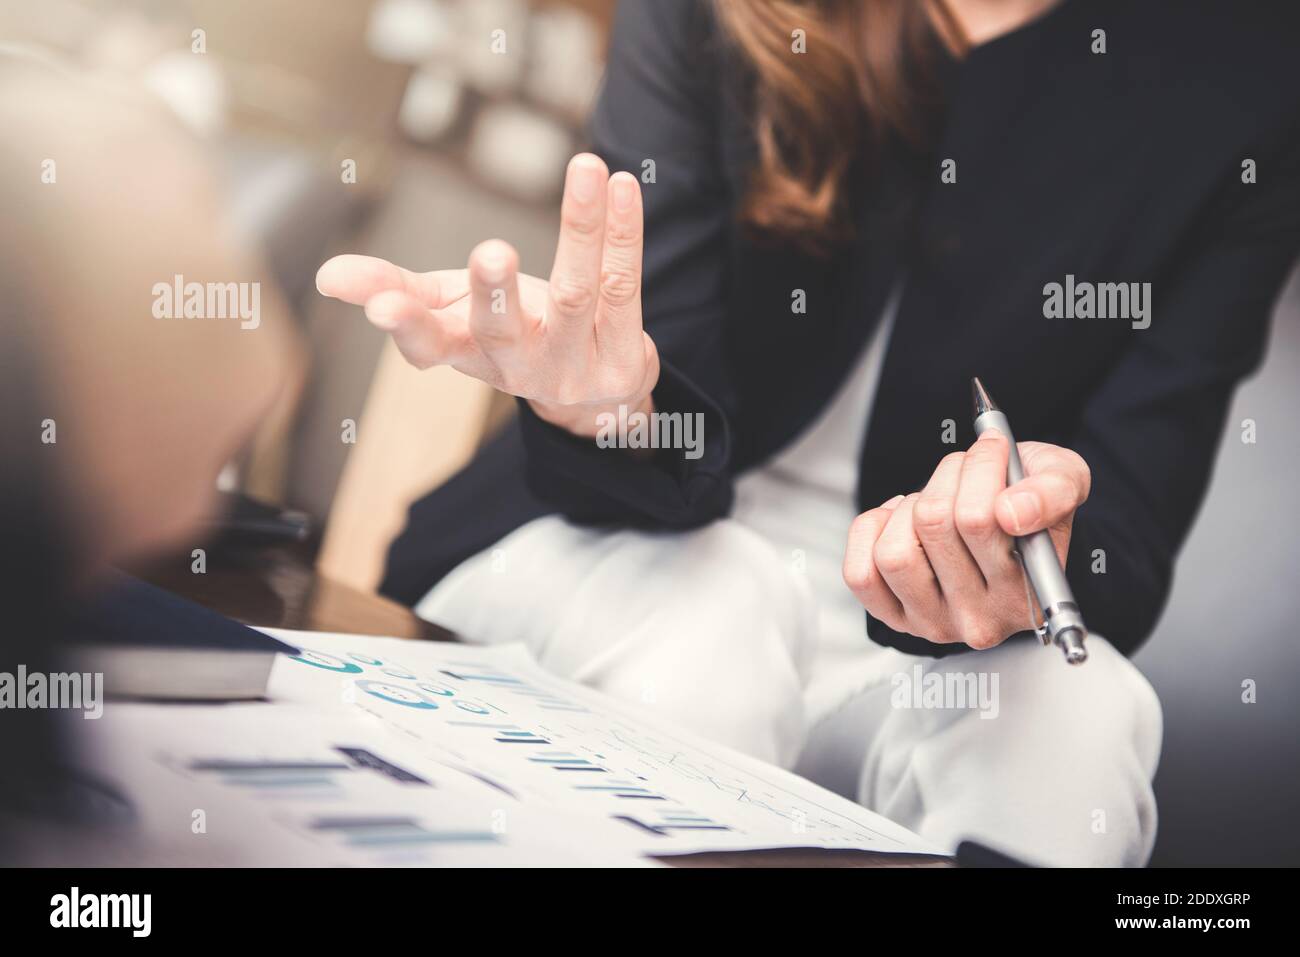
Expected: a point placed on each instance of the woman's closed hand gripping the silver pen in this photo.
(939, 564)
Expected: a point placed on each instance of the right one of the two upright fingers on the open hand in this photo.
(619, 308)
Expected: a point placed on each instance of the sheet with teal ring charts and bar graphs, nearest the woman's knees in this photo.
(496, 717)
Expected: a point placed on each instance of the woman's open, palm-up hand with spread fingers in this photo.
(574, 347)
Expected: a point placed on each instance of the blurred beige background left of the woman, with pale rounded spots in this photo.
(406, 129)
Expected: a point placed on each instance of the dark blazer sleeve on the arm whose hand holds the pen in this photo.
(1152, 430)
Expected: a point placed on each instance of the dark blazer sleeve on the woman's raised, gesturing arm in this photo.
(658, 118)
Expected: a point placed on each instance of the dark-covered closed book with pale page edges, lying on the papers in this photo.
(153, 644)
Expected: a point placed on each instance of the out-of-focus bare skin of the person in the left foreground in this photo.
(127, 417)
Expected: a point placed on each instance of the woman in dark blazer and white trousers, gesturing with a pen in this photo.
(851, 207)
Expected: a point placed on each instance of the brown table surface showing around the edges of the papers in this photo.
(276, 587)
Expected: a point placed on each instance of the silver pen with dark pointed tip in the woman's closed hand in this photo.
(1063, 621)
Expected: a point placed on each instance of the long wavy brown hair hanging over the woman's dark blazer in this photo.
(865, 76)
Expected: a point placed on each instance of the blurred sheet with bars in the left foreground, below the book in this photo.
(278, 785)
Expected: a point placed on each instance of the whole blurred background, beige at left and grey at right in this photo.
(414, 129)
